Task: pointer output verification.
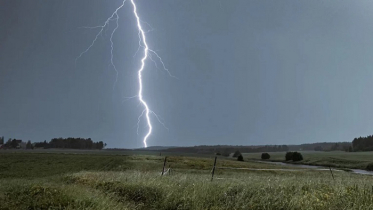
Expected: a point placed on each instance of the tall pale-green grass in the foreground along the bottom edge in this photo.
(147, 190)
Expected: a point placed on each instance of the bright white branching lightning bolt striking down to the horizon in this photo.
(147, 54)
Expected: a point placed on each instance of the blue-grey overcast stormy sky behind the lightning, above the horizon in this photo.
(250, 72)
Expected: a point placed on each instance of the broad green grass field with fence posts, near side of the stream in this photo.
(98, 180)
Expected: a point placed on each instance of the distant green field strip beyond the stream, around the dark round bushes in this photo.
(338, 159)
